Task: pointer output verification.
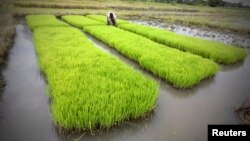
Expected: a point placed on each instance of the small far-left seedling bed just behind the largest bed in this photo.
(35, 21)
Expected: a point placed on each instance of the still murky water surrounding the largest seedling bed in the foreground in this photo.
(180, 115)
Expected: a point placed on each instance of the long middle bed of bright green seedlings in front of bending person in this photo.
(181, 69)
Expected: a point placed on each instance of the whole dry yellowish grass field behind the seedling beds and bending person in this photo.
(225, 18)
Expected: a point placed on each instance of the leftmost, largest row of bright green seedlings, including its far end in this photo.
(89, 88)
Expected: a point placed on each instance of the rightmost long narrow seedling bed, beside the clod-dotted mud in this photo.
(219, 52)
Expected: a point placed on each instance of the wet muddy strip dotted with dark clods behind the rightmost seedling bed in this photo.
(228, 38)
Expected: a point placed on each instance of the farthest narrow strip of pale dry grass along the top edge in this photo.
(110, 4)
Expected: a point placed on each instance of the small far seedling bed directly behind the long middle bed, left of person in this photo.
(80, 21)
